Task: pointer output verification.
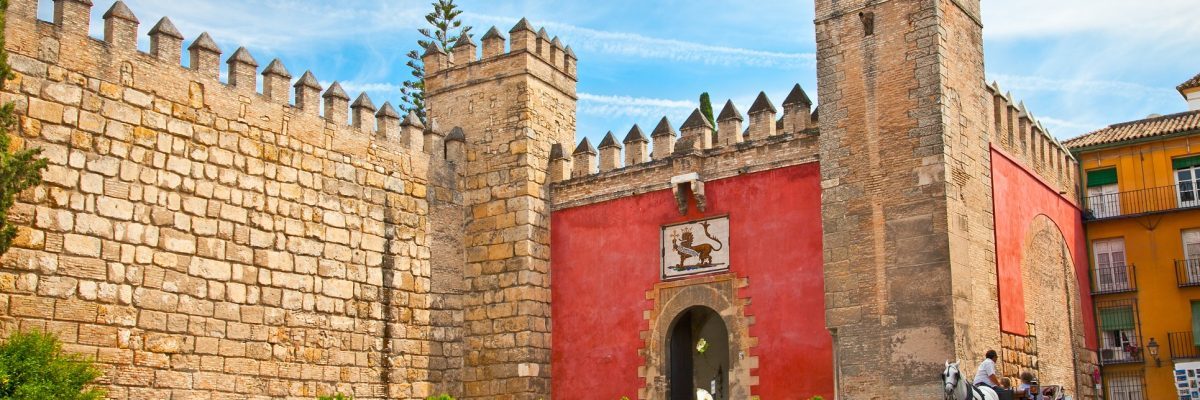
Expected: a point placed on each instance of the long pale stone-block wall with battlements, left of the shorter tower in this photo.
(205, 241)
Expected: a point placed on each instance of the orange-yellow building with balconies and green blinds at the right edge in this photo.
(1143, 201)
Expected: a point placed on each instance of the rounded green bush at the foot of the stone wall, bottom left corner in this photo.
(33, 366)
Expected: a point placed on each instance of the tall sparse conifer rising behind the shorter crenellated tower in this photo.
(447, 28)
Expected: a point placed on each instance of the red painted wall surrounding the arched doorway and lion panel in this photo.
(607, 256)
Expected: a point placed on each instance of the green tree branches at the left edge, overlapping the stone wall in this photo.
(19, 170)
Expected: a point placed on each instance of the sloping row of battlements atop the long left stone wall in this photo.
(116, 58)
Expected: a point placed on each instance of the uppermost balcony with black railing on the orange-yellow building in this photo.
(1145, 201)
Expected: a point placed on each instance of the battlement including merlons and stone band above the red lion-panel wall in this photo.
(591, 175)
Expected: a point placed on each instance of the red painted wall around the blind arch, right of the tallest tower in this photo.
(1019, 198)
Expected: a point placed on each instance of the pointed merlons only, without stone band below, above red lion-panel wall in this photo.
(695, 139)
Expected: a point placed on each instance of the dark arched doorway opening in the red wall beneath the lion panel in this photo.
(699, 356)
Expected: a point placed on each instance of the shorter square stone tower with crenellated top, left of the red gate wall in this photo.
(508, 109)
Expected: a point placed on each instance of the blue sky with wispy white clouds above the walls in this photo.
(1079, 65)
